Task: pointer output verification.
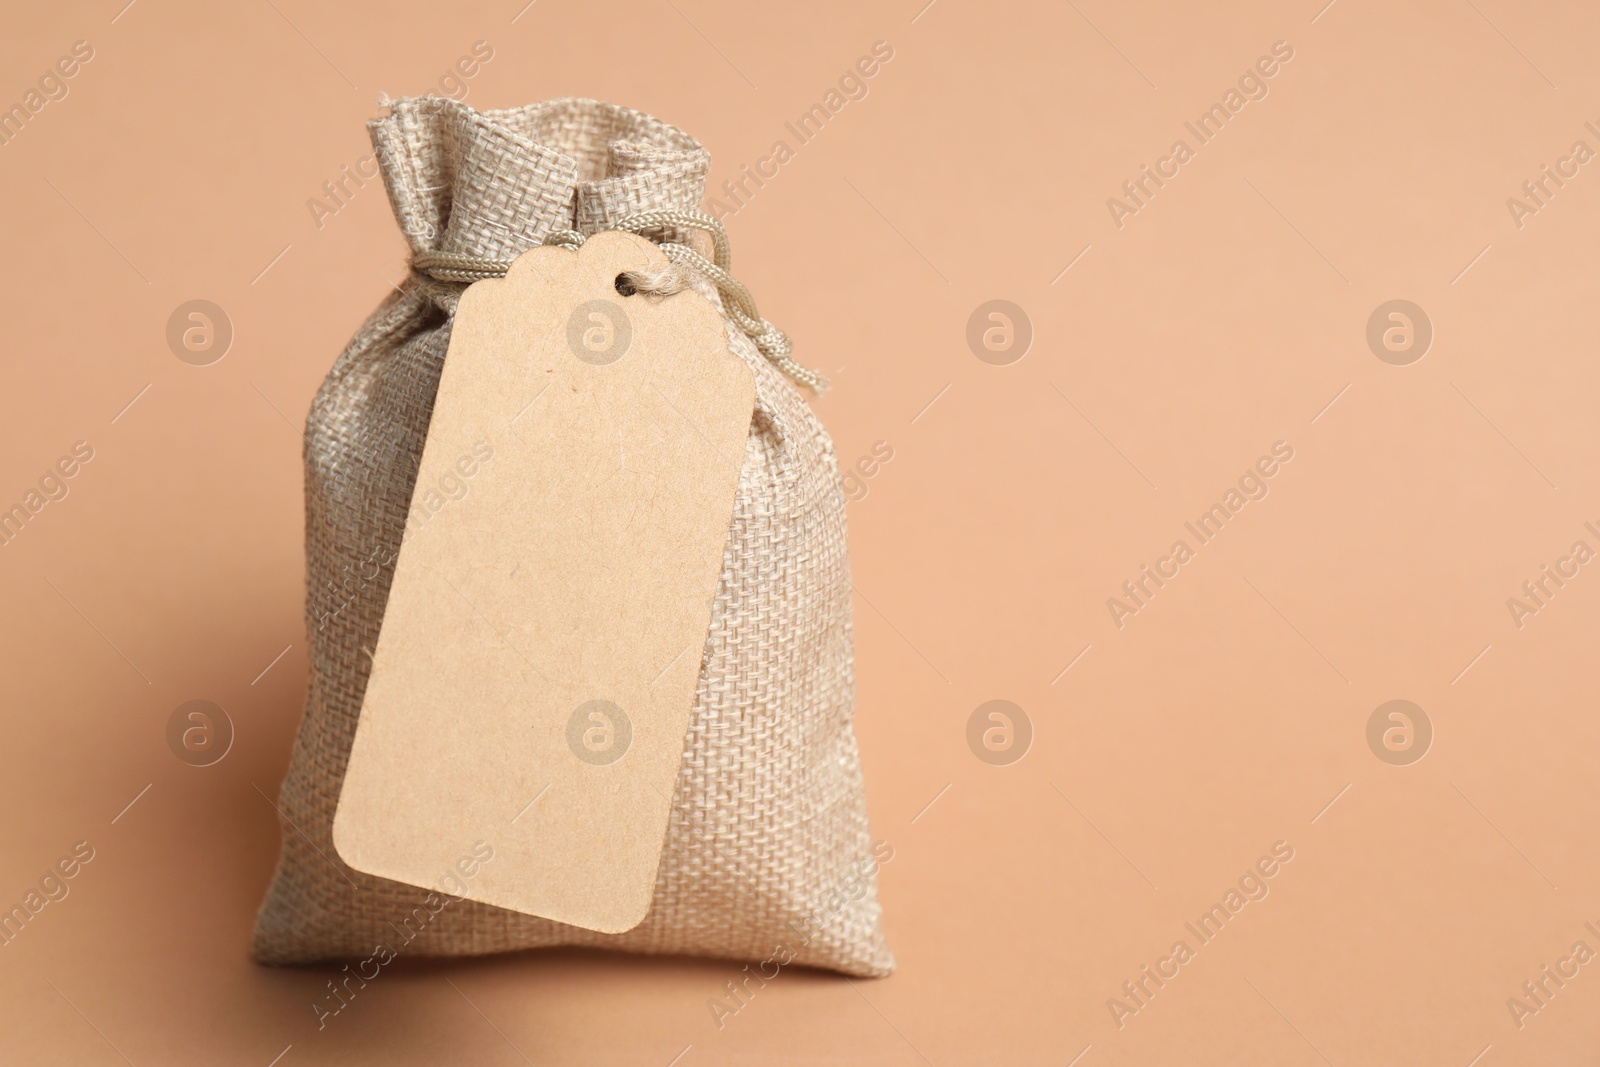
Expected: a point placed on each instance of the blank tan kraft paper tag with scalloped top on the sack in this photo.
(537, 669)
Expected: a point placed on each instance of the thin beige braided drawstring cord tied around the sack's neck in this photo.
(686, 265)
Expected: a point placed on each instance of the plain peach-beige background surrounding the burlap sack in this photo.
(1223, 318)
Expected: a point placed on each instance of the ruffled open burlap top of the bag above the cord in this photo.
(494, 185)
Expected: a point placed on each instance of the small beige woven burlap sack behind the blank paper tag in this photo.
(767, 853)
